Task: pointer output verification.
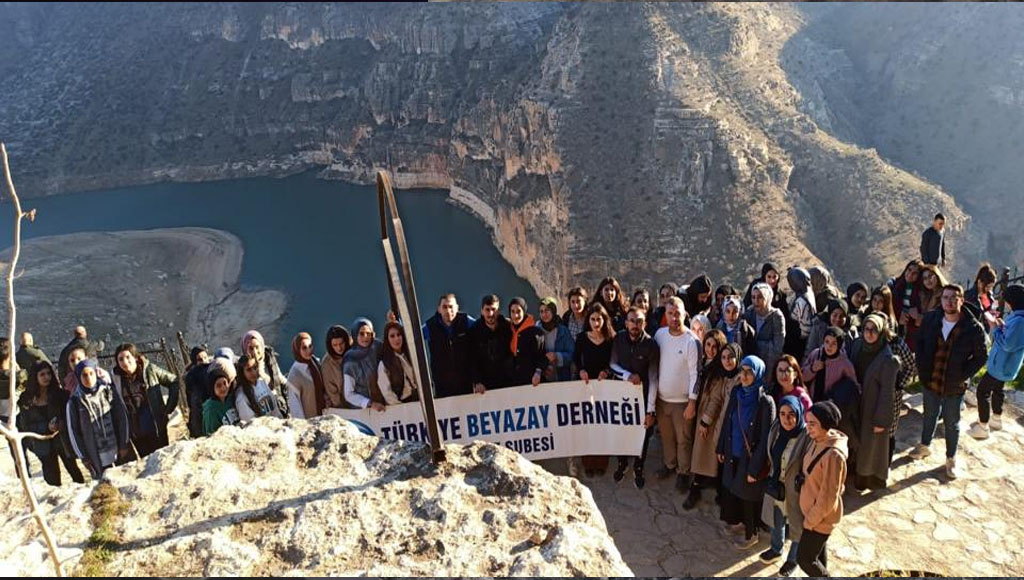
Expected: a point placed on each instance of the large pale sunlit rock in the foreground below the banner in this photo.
(319, 499)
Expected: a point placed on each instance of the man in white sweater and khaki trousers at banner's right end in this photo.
(677, 393)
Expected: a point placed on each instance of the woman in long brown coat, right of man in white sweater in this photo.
(719, 381)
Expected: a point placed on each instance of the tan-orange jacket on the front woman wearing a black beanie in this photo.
(822, 494)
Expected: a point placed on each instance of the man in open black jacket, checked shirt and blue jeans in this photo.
(951, 350)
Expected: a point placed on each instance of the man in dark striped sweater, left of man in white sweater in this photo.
(635, 358)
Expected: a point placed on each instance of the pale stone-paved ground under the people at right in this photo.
(922, 522)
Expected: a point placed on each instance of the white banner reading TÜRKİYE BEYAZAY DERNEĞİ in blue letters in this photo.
(557, 420)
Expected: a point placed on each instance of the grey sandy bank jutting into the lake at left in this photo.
(139, 286)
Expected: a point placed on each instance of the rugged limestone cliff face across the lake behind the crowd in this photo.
(648, 142)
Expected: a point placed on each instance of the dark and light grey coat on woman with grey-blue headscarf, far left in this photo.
(98, 426)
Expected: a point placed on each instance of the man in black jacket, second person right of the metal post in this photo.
(491, 358)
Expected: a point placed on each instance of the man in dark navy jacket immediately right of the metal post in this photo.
(447, 336)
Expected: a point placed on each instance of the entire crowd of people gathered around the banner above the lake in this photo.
(770, 398)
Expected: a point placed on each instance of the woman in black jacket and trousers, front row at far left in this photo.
(41, 410)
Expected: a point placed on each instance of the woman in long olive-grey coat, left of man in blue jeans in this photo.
(877, 371)
